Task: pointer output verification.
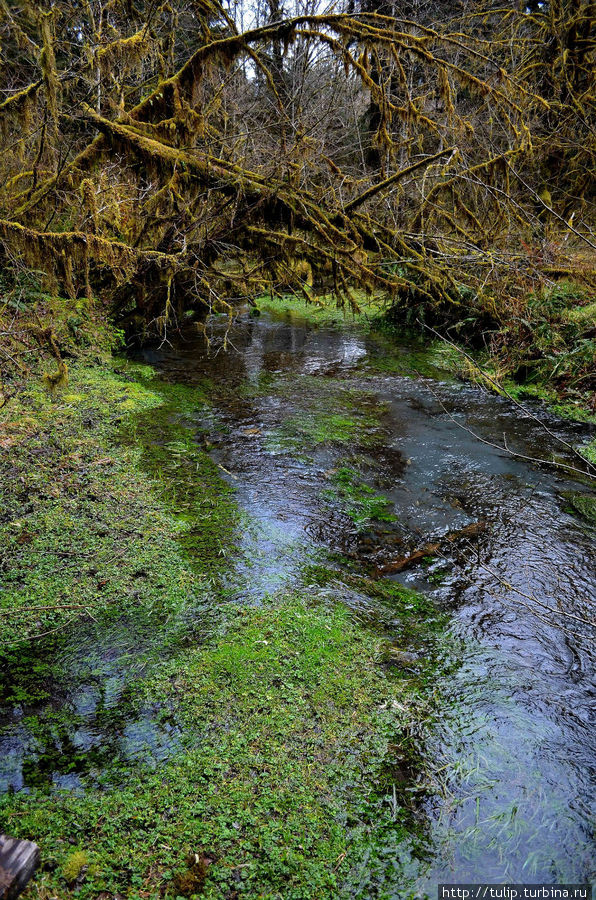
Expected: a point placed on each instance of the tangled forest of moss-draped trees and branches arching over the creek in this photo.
(174, 156)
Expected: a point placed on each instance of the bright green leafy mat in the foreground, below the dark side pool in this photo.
(286, 792)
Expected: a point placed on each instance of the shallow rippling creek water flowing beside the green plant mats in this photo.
(515, 743)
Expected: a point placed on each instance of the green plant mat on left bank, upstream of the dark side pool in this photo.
(118, 485)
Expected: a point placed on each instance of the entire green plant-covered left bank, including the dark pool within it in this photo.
(169, 741)
